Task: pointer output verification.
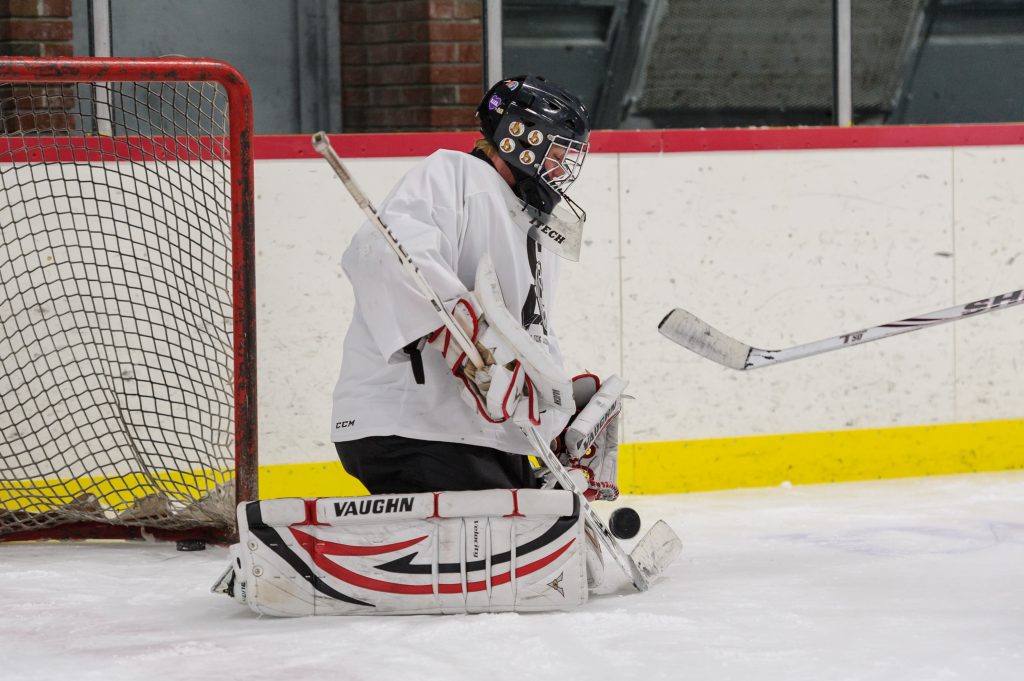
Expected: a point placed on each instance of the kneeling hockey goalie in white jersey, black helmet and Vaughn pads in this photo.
(459, 520)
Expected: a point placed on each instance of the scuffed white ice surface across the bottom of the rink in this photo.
(900, 580)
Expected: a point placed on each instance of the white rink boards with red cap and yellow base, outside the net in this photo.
(776, 237)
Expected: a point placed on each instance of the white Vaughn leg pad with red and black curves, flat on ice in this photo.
(436, 554)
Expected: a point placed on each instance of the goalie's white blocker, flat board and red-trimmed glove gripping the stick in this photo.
(519, 374)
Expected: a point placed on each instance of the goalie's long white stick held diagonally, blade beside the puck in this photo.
(660, 546)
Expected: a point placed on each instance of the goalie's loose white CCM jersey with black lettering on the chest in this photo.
(448, 212)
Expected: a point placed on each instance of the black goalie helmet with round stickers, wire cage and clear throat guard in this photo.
(540, 131)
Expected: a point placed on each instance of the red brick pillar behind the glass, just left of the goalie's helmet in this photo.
(411, 65)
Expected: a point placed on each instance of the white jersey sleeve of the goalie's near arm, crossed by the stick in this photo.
(425, 223)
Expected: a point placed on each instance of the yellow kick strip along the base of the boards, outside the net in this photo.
(753, 462)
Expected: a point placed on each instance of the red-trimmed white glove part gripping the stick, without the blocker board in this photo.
(496, 390)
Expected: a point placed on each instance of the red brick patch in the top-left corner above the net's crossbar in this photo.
(35, 28)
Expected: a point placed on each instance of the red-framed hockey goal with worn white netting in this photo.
(127, 339)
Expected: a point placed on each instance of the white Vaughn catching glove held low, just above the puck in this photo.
(589, 446)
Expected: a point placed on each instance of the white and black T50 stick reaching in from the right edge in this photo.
(694, 334)
